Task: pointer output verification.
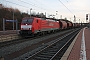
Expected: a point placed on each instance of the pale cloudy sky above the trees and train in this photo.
(59, 8)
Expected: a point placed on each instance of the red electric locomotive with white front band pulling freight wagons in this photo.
(35, 25)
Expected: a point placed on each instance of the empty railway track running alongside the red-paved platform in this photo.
(55, 50)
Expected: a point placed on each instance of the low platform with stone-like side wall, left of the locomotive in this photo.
(9, 35)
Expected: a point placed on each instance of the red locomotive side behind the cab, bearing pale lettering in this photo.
(48, 25)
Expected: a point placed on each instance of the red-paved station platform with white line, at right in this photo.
(79, 48)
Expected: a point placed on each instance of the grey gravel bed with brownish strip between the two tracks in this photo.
(31, 46)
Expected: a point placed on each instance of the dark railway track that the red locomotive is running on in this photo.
(16, 41)
